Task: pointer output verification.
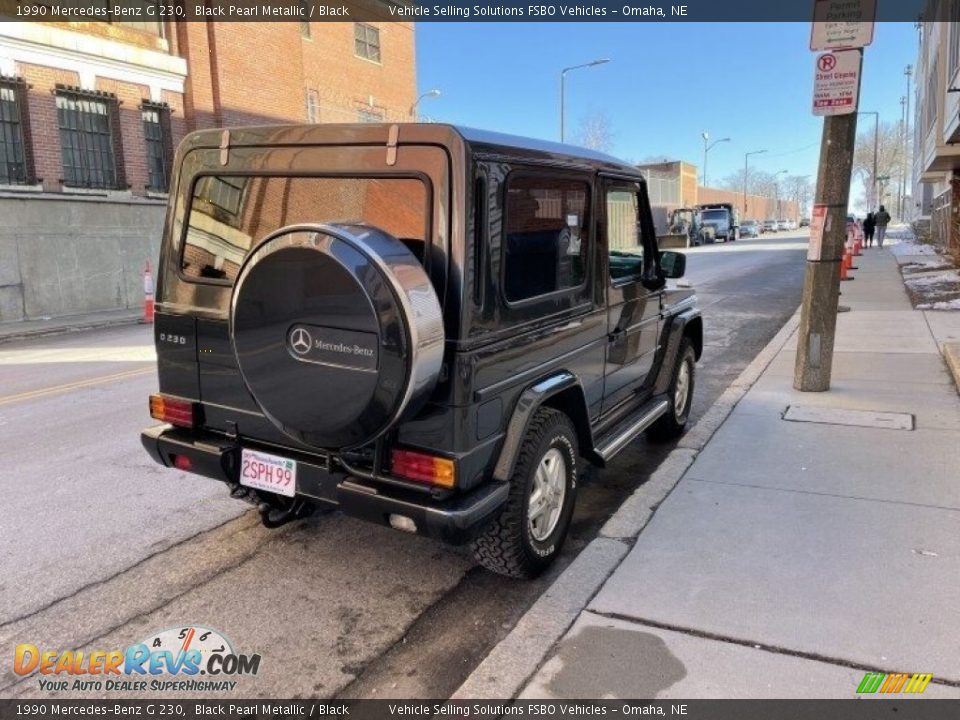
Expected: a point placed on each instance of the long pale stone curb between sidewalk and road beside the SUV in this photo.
(506, 669)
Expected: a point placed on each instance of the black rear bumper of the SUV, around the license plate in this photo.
(455, 520)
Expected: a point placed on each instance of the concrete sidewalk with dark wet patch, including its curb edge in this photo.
(812, 538)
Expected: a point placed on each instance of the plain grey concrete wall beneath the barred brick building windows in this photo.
(62, 255)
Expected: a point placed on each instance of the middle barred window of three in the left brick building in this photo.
(87, 123)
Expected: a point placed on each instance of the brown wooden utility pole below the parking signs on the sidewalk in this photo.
(821, 286)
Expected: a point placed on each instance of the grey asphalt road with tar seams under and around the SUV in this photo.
(100, 548)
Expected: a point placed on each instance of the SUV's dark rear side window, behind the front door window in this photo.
(545, 236)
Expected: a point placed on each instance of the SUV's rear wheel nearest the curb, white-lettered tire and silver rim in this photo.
(512, 545)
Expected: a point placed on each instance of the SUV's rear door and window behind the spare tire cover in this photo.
(225, 210)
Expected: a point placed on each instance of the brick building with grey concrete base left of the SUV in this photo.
(90, 113)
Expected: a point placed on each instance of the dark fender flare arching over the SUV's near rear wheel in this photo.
(529, 402)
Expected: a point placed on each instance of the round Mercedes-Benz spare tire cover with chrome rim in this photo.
(337, 332)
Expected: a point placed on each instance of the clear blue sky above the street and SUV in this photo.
(666, 83)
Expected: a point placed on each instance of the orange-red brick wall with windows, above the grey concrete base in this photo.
(237, 73)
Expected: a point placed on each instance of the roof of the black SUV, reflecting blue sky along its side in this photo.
(483, 141)
